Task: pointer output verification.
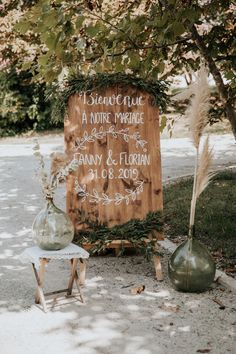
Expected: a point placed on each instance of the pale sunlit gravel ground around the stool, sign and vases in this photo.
(160, 320)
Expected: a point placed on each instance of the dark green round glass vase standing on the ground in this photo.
(191, 267)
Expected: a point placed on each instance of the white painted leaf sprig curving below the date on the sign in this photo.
(118, 198)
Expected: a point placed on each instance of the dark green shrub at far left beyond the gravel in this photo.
(23, 105)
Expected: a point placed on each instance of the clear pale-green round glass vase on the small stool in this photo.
(52, 228)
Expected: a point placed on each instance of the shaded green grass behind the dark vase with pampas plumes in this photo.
(215, 215)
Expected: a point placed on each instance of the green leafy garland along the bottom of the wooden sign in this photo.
(135, 231)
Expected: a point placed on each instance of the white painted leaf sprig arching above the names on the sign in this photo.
(101, 133)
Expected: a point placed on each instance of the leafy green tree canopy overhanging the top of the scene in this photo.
(147, 38)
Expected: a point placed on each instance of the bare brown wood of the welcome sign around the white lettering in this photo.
(151, 197)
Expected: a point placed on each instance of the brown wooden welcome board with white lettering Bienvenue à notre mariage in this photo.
(115, 136)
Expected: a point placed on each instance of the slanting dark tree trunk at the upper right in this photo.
(229, 108)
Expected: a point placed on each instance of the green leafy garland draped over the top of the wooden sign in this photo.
(81, 83)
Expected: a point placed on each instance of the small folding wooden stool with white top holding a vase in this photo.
(39, 258)
